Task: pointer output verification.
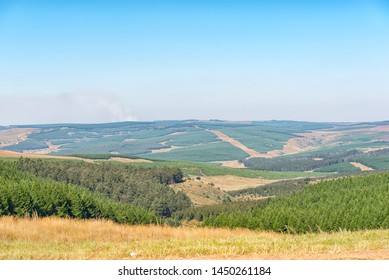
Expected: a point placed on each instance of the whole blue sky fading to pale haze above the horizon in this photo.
(101, 61)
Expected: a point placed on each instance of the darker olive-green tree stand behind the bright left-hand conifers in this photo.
(141, 186)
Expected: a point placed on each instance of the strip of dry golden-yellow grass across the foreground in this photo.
(54, 238)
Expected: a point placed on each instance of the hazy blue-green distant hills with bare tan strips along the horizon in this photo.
(254, 144)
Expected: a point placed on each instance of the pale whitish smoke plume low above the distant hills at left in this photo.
(64, 108)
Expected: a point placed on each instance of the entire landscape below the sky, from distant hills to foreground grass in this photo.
(214, 188)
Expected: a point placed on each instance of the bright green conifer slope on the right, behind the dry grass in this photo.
(351, 203)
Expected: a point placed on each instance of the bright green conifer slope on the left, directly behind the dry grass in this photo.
(25, 195)
